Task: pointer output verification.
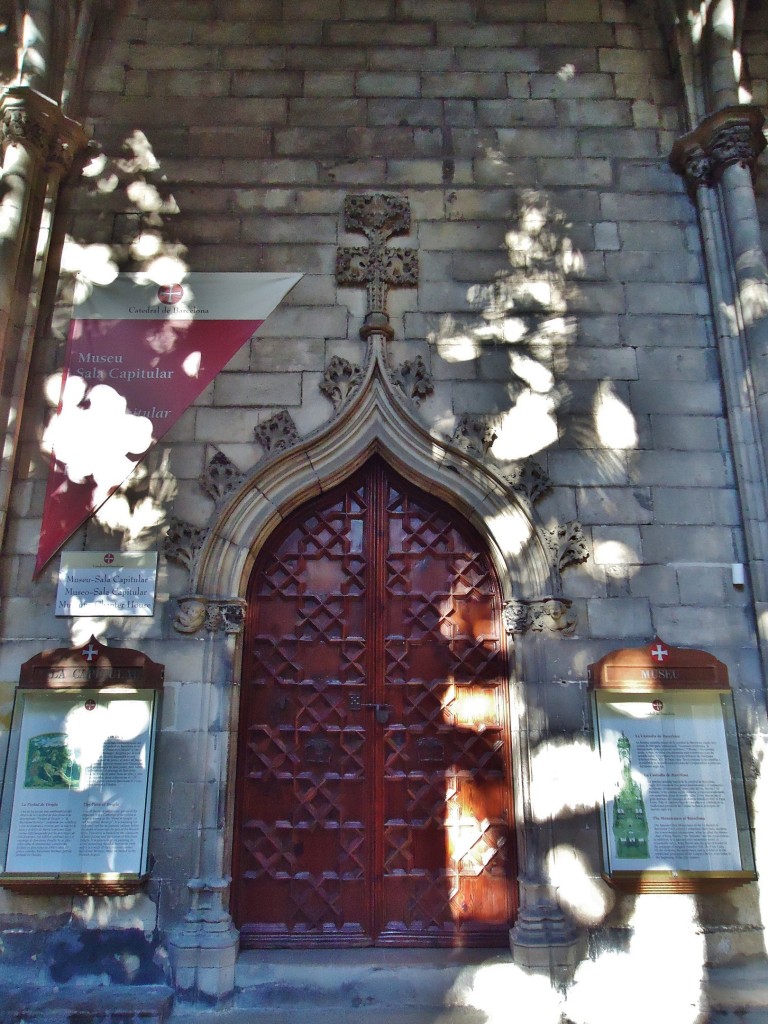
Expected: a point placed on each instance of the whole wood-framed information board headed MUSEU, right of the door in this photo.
(674, 809)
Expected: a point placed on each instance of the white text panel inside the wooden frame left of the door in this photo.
(83, 772)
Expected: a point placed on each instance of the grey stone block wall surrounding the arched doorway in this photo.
(561, 293)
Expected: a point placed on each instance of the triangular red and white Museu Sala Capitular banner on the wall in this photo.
(138, 356)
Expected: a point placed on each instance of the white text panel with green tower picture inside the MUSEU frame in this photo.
(669, 793)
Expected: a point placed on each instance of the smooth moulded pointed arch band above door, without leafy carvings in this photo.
(377, 421)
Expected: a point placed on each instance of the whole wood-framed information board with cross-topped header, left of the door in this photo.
(75, 810)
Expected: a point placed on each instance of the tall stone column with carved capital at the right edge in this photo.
(717, 160)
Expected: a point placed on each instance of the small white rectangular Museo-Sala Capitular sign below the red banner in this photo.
(107, 583)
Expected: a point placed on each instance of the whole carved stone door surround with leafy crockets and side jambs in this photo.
(374, 416)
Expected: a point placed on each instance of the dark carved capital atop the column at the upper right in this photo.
(734, 136)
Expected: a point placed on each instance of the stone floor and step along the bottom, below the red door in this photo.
(399, 988)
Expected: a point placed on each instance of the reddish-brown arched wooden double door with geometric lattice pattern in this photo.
(373, 795)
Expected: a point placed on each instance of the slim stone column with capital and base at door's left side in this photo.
(204, 951)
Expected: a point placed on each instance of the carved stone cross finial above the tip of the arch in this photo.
(378, 268)
